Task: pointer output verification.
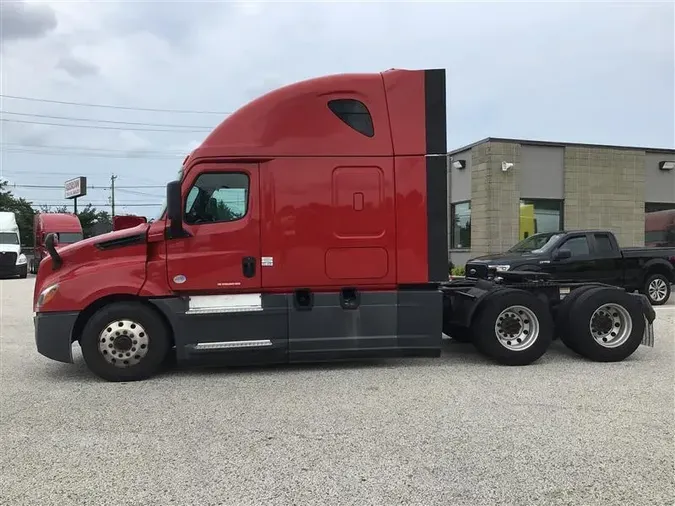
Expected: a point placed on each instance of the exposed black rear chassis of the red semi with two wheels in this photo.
(513, 317)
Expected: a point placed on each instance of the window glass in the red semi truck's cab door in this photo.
(217, 197)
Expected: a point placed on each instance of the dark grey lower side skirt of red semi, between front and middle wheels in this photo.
(377, 325)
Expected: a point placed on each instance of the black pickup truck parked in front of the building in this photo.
(586, 256)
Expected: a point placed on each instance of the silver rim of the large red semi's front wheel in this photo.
(123, 343)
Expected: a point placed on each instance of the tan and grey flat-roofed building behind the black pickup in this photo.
(502, 190)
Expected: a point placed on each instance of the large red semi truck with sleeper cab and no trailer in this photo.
(311, 225)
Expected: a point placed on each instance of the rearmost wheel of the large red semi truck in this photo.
(583, 341)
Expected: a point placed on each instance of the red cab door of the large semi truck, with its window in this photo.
(221, 251)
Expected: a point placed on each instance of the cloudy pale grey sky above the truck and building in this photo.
(587, 72)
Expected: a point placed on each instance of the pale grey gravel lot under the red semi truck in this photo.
(451, 431)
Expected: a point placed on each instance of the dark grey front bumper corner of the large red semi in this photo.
(53, 335)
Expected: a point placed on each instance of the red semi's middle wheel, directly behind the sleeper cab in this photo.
(485, 336)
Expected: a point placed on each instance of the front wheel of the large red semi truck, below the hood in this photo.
(154, 338)
